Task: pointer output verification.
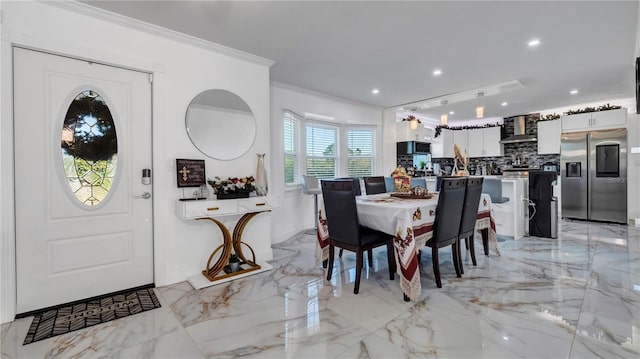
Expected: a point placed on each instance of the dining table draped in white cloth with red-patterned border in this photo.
(410, 221)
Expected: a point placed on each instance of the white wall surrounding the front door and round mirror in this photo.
(181, 71)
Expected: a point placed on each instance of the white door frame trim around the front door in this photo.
(8, 273)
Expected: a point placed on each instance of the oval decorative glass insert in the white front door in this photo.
(89, 148)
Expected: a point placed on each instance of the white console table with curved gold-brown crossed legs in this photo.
(217, 210)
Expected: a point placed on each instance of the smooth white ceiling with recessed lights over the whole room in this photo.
(347, 48)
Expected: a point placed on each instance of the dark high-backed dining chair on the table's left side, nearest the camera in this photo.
(345, 231)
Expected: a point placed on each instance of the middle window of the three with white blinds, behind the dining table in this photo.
(321, 152)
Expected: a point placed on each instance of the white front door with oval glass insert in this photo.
(82, 136)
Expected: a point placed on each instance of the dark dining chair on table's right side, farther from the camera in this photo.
(469, 216)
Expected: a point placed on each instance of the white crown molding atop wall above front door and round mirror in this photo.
(134, 24)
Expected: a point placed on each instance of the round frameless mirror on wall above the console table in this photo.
(220, 124)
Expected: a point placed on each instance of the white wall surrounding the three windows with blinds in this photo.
(296, 212)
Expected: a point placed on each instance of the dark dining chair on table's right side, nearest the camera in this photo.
(446, 226)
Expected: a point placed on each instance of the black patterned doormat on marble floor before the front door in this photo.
(50, 323)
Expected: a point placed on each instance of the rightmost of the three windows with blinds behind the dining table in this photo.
(360, 156)
